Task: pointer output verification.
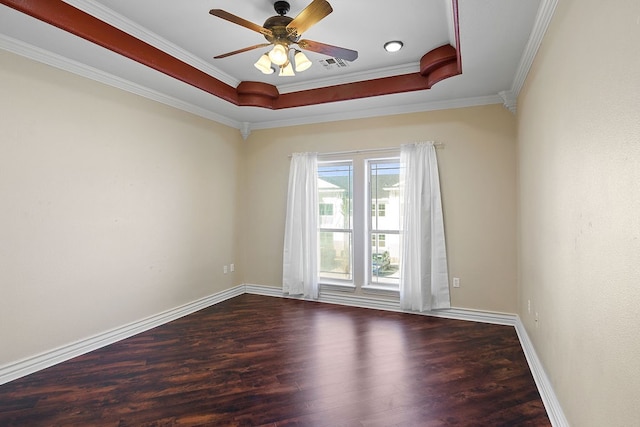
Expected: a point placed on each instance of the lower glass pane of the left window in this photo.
(335, 255)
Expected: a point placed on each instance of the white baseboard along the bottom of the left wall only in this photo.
(44, 360)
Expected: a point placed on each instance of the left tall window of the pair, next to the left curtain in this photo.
(335, 183)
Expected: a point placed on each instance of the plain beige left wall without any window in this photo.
(112, 207)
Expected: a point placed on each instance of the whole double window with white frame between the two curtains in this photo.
(359, 232)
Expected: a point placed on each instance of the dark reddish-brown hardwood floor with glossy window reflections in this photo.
(256, 360)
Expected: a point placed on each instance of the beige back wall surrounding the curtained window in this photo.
(478, 178)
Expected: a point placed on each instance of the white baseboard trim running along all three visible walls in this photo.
(44, 360)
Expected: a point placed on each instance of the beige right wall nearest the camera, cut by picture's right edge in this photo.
(579, 162)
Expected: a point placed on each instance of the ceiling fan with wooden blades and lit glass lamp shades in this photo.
(281, 31)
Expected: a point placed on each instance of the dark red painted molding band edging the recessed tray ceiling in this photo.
(436, 65)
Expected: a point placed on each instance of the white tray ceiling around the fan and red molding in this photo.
(498, 39)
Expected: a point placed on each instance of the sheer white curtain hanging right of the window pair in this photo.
(424, 278)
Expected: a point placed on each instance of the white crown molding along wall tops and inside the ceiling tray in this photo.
(508, 98)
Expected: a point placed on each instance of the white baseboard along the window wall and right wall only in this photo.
(549, 399)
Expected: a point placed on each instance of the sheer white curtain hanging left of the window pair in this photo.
(300, 263)
